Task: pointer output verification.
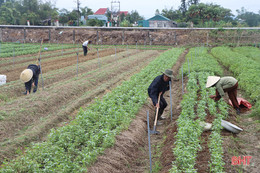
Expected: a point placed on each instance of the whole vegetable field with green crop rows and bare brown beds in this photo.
(89, 113)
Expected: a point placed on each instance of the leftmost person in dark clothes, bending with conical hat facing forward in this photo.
(30, 78)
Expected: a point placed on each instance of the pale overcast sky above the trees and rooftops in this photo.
(146, 8)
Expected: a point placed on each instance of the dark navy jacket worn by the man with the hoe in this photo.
(158, 85)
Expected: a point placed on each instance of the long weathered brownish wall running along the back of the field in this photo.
(130, 35)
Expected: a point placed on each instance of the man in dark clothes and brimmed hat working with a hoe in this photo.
(159, 85)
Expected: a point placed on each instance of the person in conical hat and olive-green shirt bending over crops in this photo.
(224, 84)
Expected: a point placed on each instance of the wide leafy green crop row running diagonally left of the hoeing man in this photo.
(73, 147)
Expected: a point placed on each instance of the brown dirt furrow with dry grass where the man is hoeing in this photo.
(130, 152)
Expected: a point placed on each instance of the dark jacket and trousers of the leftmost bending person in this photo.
(36, 71)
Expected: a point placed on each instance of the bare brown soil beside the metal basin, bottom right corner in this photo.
(246, 143)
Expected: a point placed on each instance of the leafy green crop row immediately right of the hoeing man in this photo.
(187, 139)
